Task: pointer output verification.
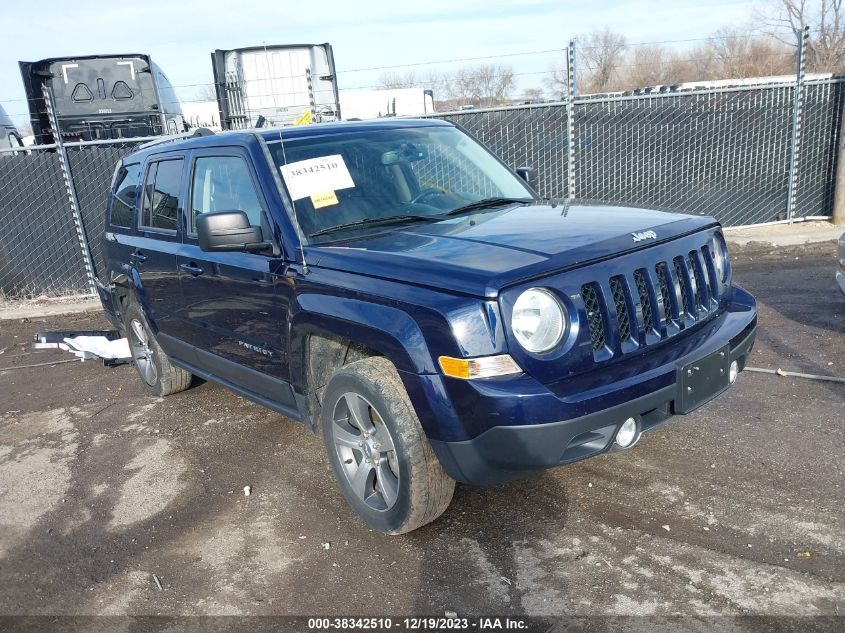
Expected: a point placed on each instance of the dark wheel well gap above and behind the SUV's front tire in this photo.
(325, 354)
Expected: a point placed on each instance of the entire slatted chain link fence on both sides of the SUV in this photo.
(725, 152)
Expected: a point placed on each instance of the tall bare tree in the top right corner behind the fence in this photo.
(826, 19)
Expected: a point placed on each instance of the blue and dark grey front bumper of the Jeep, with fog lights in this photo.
(511, 451)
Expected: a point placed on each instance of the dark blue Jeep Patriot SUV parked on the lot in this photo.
(394, 286)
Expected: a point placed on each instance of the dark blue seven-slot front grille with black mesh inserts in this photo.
(682, 293)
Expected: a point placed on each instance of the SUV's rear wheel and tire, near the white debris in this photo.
(157, 373)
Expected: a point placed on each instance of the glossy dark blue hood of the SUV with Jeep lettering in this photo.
(480, 253)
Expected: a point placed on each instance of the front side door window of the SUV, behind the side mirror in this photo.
(223, 183)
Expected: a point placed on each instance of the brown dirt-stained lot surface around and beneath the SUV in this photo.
(736, 509)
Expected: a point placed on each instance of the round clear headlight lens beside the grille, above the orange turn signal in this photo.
(538, 320)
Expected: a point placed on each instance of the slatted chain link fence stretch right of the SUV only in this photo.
(722, 152)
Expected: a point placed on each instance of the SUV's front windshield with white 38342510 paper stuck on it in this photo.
(365, 178)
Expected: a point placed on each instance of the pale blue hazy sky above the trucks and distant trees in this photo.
(180, 34)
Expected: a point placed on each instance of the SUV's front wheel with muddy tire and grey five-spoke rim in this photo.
(380, 456)
